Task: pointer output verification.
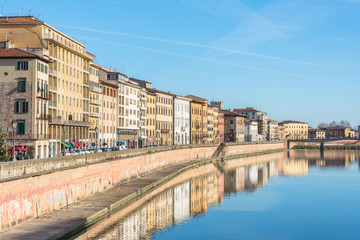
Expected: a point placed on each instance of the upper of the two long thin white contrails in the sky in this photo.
(190, 44)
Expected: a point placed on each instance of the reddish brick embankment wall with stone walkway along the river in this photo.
(82, 212)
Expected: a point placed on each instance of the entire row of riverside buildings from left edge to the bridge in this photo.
(60, 98)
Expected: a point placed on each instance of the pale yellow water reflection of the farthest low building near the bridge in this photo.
(293, 167)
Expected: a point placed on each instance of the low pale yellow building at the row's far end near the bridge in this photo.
(295, 129)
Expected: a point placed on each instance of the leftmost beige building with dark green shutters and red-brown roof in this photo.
(24, 95)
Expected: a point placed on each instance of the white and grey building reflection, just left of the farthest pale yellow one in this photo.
(256, 176)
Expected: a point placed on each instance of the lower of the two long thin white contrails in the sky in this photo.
(210, 60)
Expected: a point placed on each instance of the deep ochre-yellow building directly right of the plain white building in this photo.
(203, 112)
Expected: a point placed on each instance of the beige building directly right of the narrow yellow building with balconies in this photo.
(109, 115)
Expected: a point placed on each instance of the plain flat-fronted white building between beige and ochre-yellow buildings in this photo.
(181, 120)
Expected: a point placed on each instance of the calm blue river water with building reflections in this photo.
(293, 195)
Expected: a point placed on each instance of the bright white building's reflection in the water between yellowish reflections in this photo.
(181, 202)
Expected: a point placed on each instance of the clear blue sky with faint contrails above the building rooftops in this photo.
(294, 60)
